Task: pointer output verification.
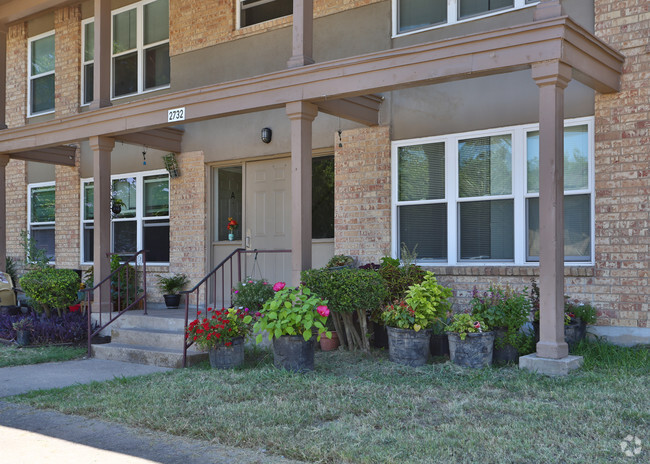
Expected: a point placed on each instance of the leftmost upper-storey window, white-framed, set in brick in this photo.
(41, 74)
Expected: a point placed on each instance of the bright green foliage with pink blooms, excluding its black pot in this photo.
(293, 311)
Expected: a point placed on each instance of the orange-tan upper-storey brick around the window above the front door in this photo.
(195, 24)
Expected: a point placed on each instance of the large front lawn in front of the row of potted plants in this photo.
(364, 409)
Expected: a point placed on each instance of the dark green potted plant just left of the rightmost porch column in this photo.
(506, 311)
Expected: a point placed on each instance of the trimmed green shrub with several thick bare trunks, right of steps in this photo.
(349, 291)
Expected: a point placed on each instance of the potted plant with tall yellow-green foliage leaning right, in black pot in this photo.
(409, 322)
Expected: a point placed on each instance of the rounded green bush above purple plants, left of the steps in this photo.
(50, 288)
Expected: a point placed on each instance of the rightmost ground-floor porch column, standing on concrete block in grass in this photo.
(552, 78)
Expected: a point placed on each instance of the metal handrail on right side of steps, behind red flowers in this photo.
(205, 281)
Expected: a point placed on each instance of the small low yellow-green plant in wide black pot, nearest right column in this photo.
(470, 342)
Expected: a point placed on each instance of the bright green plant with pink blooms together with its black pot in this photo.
(289, 319)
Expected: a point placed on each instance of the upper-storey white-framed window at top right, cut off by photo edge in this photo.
(417, 15)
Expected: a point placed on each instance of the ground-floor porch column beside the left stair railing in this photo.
(102, 147)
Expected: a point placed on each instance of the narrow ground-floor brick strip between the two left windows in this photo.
(66, 240)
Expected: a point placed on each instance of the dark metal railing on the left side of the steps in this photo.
(124, 294)
